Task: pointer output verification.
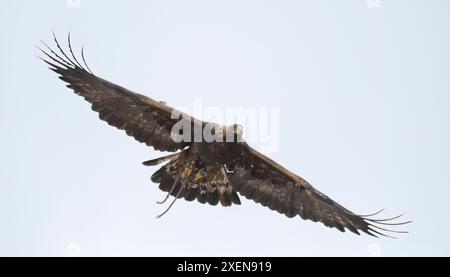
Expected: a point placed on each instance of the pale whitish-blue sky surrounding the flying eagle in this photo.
(363, 95)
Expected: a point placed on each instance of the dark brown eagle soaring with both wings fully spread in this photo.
(210, 171)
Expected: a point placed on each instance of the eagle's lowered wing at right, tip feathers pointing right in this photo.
(261, 179)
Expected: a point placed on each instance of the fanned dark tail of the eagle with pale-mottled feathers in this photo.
(184, 176)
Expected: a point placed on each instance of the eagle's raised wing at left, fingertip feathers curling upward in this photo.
(147, 120)
